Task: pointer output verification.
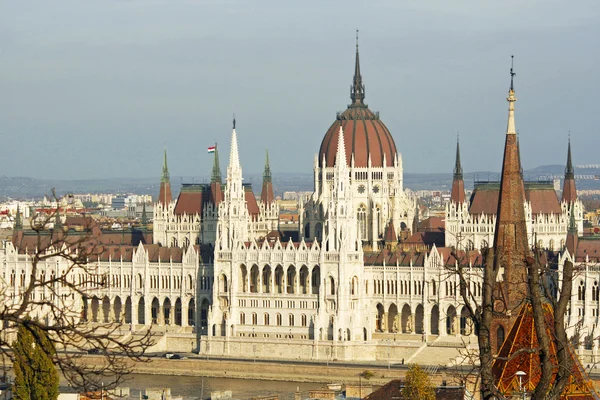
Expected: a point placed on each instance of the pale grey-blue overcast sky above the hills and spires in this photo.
(98, 88)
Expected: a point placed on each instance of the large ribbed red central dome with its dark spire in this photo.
(364, 133)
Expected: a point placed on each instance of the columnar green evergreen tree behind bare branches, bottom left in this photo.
(35, 374)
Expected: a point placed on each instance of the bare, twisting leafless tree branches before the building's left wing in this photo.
(53, 302)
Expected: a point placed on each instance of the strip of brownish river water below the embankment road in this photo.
(190, 387)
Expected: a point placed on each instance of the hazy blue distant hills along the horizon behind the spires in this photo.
(27, 188)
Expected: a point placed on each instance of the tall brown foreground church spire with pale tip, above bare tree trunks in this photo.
(510, 239)
